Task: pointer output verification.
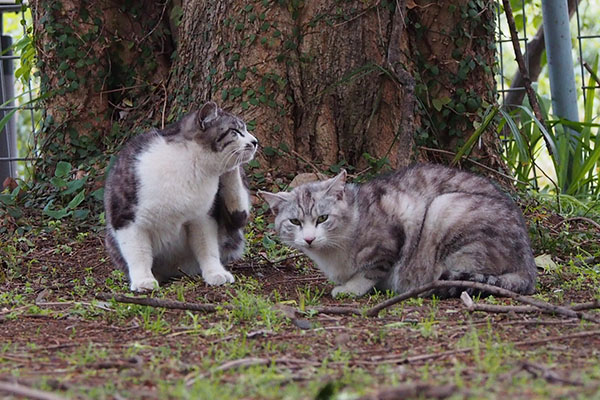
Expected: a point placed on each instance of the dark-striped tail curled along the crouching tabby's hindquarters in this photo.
(515, 282)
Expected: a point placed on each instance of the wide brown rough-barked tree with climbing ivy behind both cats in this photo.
(321, 82)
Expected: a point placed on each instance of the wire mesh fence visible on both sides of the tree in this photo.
(17, 136)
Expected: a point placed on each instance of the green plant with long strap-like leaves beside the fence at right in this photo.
(572, 147)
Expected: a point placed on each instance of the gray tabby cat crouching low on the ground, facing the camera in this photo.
(406, 229)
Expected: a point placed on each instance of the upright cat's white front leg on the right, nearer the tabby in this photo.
(204, 243)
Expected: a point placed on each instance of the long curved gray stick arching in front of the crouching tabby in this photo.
(493, 290)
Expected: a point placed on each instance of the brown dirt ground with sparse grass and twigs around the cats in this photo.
(58, 338)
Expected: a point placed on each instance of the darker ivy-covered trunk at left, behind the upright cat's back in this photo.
(98, 62)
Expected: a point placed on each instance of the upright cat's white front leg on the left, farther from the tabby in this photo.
(136, 249)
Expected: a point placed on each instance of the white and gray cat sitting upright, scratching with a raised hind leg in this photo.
(176, 201)
